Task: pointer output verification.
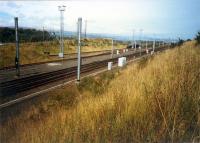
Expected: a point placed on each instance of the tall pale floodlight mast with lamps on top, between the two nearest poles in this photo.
(61, 9)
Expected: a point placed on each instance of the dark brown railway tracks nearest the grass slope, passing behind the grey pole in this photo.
(11, 88)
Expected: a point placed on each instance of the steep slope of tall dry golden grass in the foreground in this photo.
(154, 100)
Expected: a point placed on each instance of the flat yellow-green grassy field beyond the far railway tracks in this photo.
(35, 52)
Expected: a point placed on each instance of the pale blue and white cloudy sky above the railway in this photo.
(155, 18)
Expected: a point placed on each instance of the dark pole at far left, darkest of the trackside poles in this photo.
(17, 64)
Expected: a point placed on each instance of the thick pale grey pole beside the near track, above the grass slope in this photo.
(79, 48)
